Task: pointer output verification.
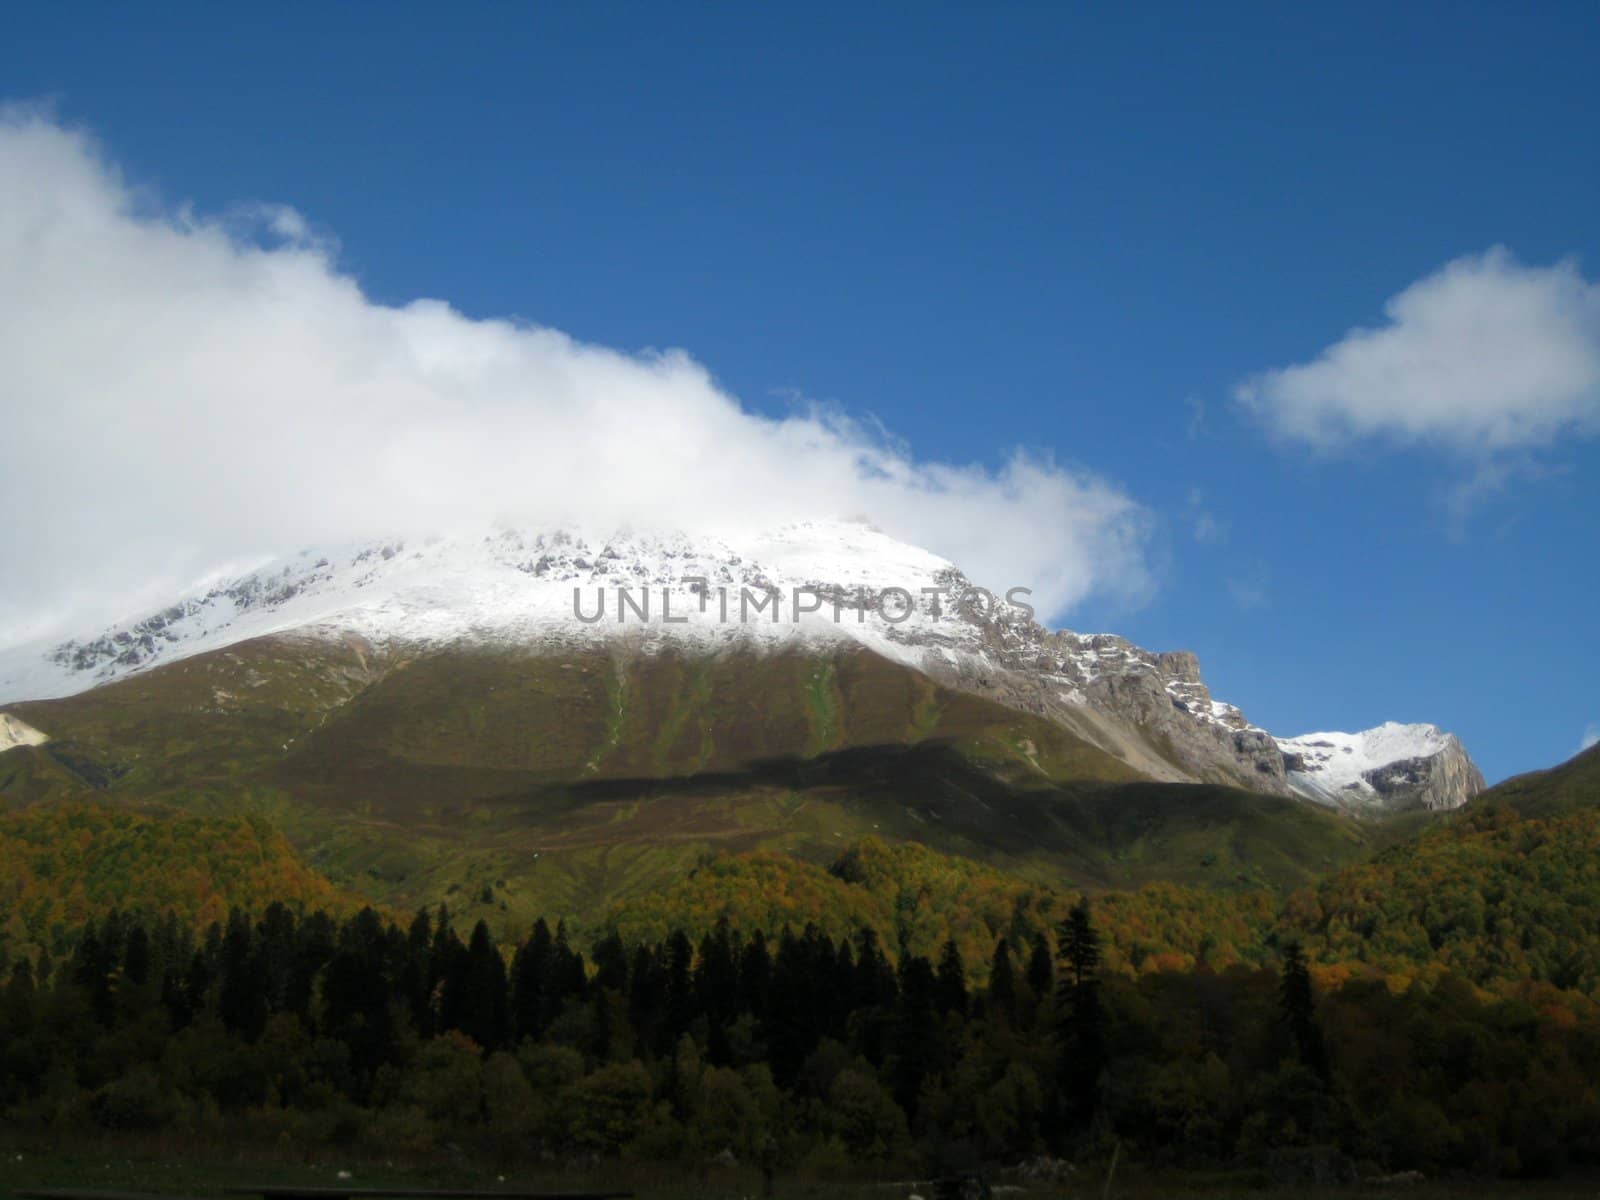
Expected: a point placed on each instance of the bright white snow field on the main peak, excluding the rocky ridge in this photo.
(514, 586)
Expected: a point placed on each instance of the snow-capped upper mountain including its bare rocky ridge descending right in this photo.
(814, 583)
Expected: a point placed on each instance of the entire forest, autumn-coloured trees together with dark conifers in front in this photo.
(892, 1014)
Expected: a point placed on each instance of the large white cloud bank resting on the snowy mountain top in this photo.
(178, 393)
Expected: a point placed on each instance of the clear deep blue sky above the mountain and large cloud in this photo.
(991, 228)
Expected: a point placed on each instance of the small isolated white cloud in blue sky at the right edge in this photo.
(1484, 358)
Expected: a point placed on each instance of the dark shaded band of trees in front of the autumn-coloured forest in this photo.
(822, 1054)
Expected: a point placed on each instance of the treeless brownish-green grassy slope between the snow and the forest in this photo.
(558, 785)
